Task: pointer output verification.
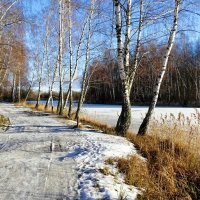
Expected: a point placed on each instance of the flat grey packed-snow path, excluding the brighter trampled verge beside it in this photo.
(29, 152)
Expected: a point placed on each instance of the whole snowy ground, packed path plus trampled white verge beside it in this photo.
(42, 157)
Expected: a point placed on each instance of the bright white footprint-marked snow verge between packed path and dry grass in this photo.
(90, 157)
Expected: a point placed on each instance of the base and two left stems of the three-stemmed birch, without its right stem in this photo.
(124, 120)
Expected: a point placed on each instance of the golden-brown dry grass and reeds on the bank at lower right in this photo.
(172, 167)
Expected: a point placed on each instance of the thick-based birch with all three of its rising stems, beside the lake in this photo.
(125, 72)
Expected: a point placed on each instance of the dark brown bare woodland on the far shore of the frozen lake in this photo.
(181, 84)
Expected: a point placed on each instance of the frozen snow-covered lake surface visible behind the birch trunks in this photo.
(109, 114)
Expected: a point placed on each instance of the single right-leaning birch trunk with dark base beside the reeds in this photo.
(144, 126)
